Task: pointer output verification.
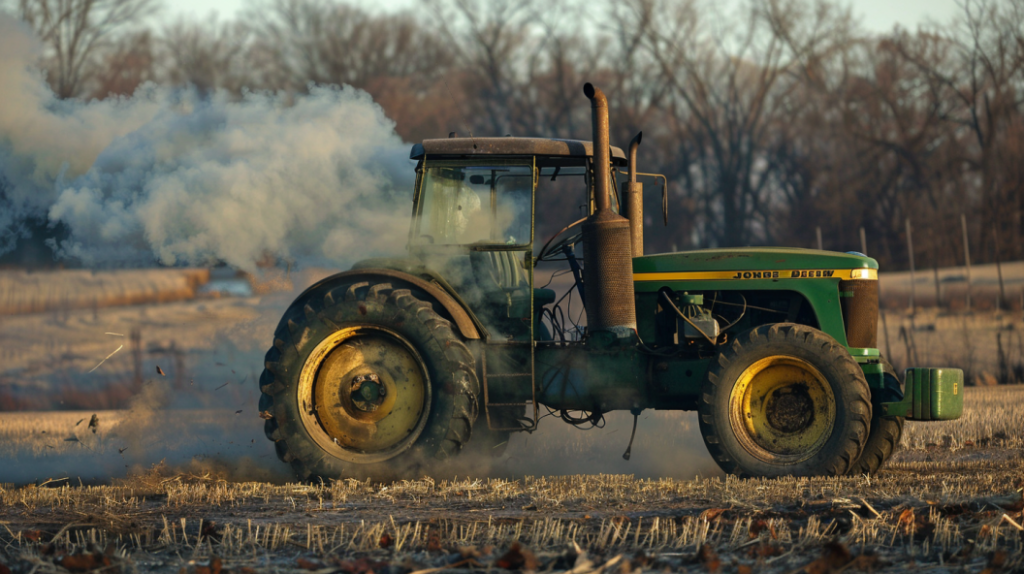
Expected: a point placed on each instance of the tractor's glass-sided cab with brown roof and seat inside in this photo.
(475, 220)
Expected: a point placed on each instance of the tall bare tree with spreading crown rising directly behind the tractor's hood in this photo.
(731, 89)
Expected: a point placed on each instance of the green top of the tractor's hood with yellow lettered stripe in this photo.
(789, 262)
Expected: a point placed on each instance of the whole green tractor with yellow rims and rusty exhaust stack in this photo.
(399, 365)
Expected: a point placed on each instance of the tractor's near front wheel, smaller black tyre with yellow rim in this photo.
(785, 400)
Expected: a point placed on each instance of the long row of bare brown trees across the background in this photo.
(771, 122)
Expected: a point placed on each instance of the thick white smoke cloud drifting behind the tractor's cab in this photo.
(169, 176)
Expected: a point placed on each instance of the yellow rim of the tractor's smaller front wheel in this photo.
(783, 410)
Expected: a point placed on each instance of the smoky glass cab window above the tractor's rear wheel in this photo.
(484, 204)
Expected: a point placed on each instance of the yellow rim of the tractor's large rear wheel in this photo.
(364, 394)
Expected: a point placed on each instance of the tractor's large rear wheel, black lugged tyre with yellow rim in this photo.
(367, 381)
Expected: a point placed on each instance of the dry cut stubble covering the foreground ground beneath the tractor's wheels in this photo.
(953, 500)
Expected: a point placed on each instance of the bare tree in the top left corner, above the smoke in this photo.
(75, 31)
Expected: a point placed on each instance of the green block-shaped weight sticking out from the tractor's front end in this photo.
(931, 394)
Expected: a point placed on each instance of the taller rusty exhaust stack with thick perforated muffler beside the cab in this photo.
(608, 252)
